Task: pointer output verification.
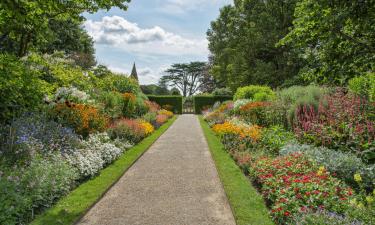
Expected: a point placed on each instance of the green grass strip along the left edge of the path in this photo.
(72, 207)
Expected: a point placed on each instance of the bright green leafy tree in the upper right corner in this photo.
(336, 39)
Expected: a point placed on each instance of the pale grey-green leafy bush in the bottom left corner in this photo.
(28, 190)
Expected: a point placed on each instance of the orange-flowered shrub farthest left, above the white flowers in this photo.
(84, 119)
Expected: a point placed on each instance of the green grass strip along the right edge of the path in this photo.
(247, 204)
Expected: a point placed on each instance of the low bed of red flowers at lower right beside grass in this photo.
(293, 184)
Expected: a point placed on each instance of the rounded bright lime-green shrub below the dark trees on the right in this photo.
(255, 93)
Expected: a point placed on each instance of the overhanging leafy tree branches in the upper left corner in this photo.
(27, 22)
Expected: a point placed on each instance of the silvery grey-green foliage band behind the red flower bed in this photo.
(343, 164)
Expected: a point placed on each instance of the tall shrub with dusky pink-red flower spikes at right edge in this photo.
(341, 122)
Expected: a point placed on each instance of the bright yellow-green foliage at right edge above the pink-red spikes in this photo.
(364, 86)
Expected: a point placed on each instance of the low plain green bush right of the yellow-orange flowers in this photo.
(274, 138)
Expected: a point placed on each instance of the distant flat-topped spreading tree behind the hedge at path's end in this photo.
(186, 77)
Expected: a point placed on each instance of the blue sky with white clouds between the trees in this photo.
(154, 34)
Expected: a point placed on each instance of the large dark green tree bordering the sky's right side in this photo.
(242, 43)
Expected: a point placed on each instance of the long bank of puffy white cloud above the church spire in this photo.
(120, 33)
